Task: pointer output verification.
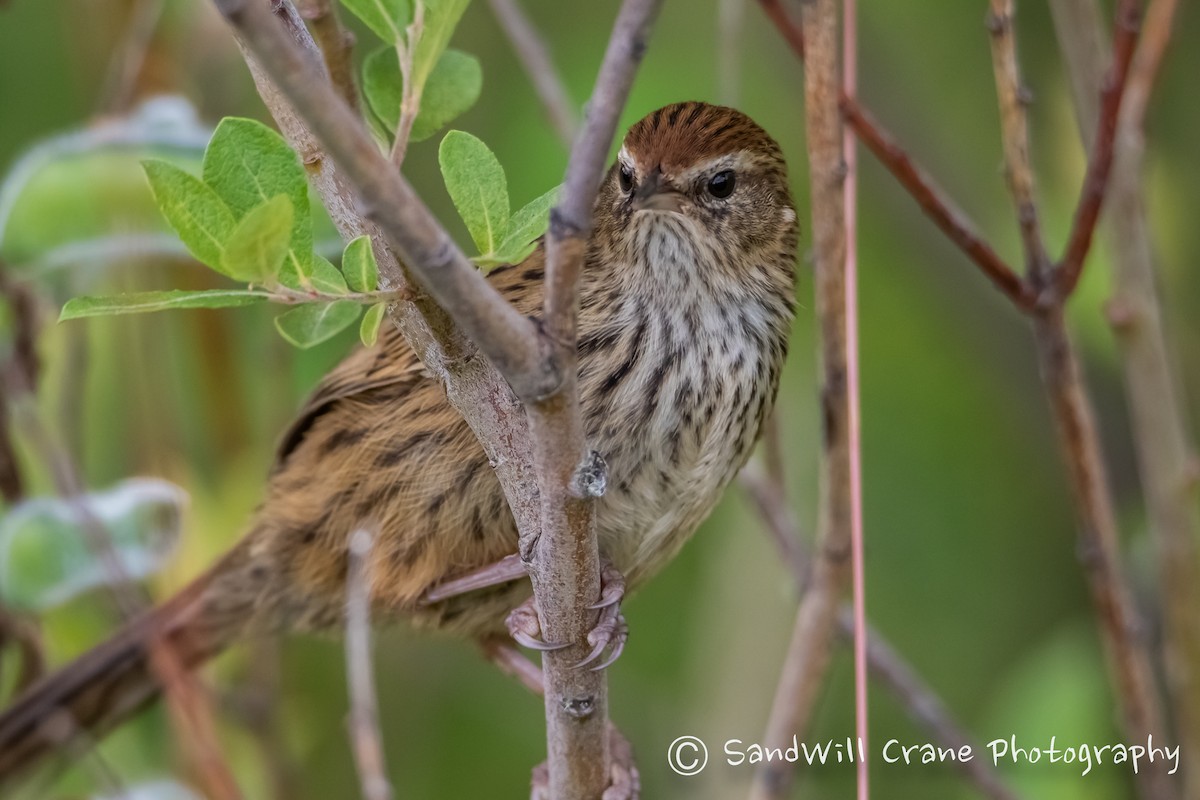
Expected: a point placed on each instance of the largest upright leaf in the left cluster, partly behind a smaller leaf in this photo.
(247, 165)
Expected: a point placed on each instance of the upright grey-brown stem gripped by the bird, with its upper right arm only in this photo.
(566, 567)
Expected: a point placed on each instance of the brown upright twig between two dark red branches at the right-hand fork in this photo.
(1016, 136)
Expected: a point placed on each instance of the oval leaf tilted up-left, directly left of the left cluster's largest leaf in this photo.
(199, 215)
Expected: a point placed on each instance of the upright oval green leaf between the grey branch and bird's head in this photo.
(478, 188)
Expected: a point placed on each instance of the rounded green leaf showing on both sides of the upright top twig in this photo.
(453, 88)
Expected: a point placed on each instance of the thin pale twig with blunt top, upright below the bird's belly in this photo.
(365, 735)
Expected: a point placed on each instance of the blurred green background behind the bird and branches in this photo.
(971, 542)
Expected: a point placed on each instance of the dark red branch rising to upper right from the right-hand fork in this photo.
(1096, 181)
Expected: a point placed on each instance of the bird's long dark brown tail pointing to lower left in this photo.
(112, 682)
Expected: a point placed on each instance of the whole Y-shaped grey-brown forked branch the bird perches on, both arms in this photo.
(539, 368)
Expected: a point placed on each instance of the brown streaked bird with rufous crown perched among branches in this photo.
(687, 303)
